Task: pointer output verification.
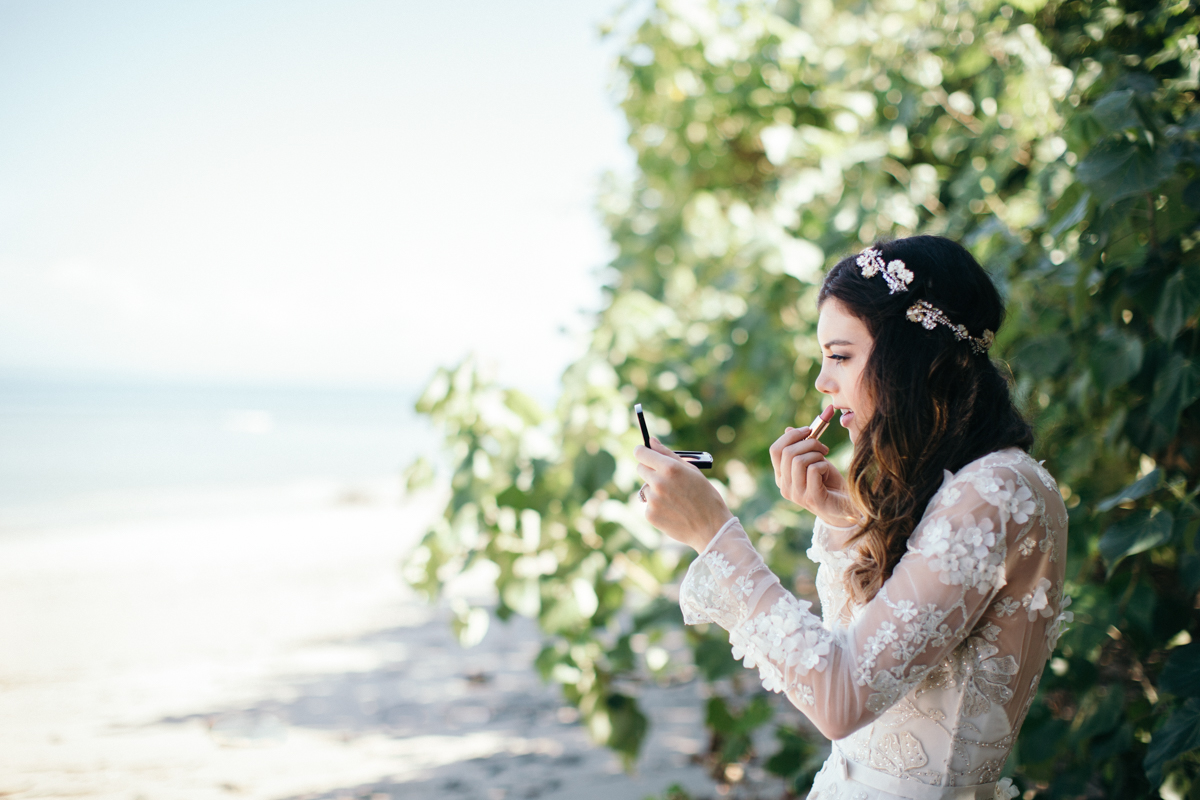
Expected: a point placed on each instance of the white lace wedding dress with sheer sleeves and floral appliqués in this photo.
(923, 689)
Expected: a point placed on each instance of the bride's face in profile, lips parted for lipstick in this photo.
(845, 347)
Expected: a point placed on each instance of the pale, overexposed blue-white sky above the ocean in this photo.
(334, 194)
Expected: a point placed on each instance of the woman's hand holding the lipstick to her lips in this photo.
(807, 479)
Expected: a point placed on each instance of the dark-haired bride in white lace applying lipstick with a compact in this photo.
(941, 554)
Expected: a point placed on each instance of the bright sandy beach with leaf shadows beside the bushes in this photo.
(279, 655)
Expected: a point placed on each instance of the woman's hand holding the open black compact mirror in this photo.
(680, 501)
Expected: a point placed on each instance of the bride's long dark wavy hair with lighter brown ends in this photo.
(938, 405)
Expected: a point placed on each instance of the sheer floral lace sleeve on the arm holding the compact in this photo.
(843, 678)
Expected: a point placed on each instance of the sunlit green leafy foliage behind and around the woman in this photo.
(1059, 141)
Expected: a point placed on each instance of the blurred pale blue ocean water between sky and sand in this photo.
(80, 452)
